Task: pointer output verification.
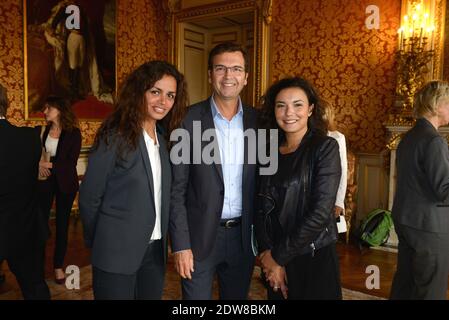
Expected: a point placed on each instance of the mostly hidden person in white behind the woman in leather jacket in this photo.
(329, 117)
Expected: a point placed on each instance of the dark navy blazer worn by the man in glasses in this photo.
(198, 191)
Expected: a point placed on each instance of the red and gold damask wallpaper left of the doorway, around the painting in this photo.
(140, 37)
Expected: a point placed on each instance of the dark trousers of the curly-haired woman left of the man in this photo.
(146, 284)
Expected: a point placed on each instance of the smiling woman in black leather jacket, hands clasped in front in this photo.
(295, 224)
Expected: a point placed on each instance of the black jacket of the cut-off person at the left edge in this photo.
(20, 222)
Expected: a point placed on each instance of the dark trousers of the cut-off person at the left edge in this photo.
(29, 269)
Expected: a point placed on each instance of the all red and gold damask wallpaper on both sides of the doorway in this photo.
(325, 41)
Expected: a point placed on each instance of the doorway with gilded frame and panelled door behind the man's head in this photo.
(196, 30)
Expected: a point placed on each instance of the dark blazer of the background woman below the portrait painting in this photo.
(66, 158)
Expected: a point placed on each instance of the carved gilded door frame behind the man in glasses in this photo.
(262, 17)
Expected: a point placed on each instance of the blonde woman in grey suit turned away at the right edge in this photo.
(421, 203)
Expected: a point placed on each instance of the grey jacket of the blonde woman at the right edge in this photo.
(422, 187)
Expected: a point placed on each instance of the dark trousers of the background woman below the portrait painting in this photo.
(48, 190)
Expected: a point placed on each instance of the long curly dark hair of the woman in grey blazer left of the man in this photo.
(130, 110)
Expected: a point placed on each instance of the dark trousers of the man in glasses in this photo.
(232, 265)
